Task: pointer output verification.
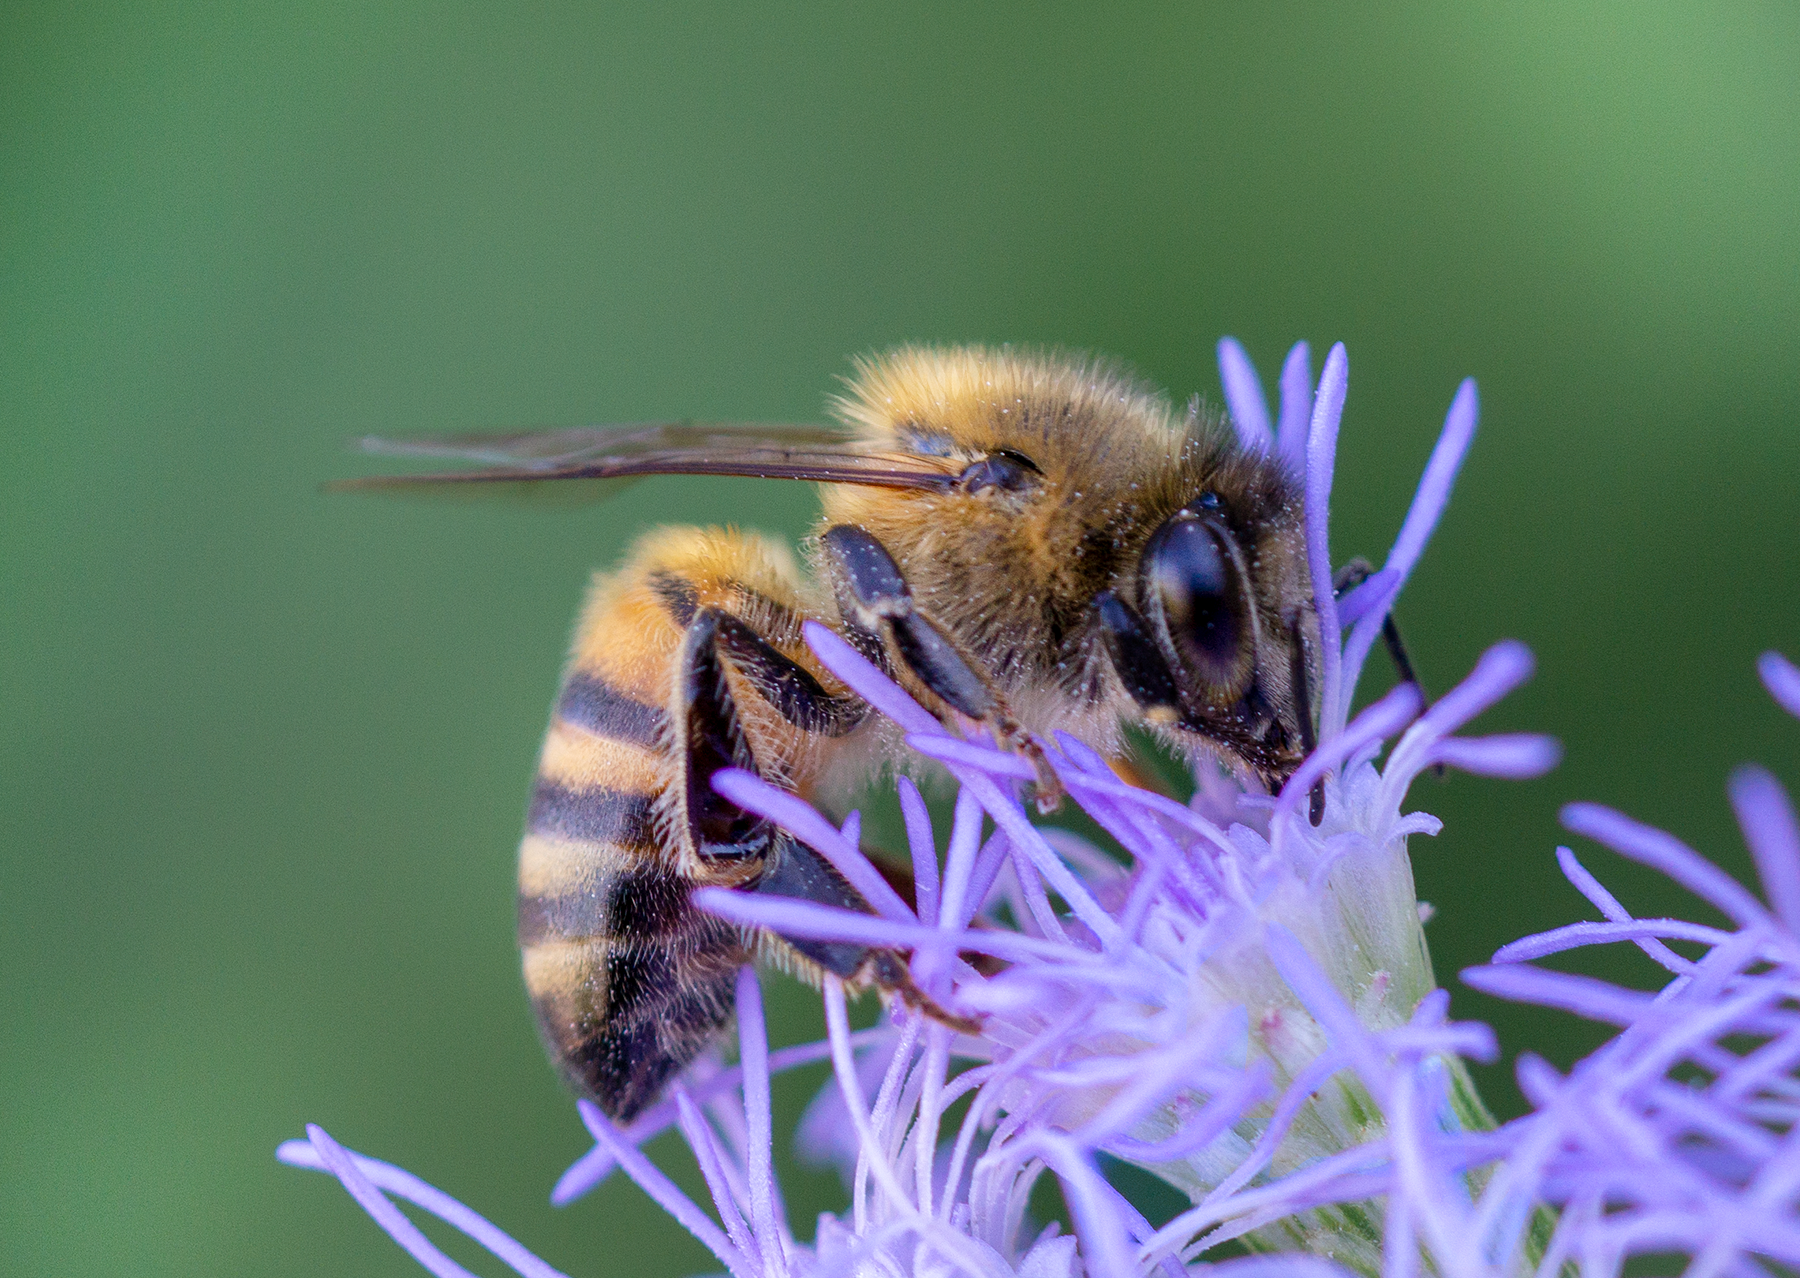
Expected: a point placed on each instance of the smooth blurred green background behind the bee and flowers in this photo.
(264, 753)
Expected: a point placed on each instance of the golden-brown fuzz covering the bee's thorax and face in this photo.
(1014, 573)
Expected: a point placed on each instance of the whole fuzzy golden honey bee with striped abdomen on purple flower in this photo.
(1025, 541)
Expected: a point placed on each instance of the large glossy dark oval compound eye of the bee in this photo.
(1191, 579)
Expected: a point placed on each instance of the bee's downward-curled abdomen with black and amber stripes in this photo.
(629, 982)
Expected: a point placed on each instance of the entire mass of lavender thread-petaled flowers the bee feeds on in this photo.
(1239, 1002)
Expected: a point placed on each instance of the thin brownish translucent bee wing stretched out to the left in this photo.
(606, 454)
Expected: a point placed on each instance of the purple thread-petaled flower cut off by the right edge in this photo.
(1680, 1135)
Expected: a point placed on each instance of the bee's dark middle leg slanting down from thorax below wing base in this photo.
(877, 602)
